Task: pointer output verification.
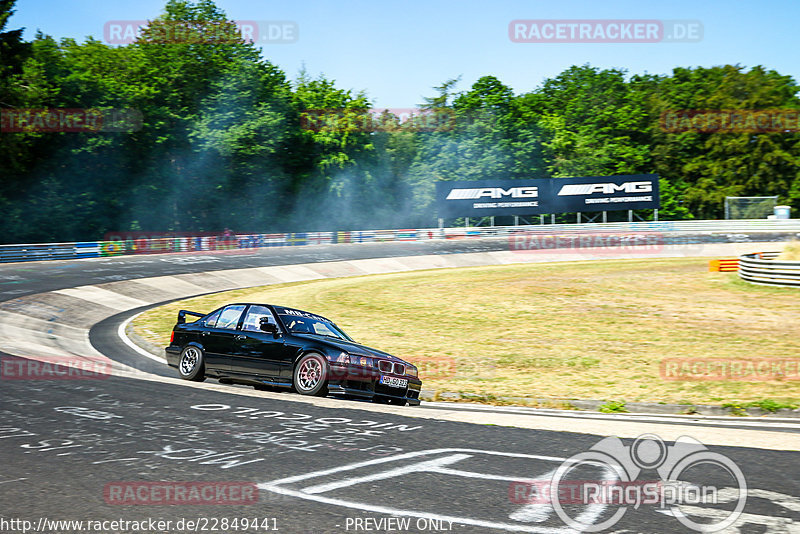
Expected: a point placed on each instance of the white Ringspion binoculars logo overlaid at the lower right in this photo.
(622, 480)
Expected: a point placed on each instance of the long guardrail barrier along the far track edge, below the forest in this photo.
(672, 232)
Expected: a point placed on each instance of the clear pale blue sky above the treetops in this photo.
(398, 51)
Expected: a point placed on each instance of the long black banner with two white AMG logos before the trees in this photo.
(487, 198)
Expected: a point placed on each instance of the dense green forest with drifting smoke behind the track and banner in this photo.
(226, 139)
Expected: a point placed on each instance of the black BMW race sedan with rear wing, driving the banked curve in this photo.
(273, 346)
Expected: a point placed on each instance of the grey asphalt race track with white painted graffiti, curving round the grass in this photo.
(112, 448)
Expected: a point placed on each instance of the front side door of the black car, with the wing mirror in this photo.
(258, 354)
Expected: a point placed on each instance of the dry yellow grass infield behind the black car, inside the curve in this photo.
(591, 330)
